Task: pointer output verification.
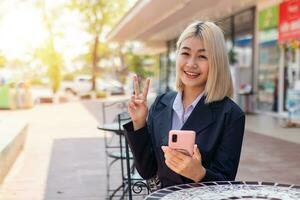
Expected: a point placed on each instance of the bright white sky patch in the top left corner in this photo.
(20, 28)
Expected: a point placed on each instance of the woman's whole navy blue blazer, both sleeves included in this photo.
(219, 128)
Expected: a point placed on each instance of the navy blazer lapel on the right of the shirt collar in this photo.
(200, 118)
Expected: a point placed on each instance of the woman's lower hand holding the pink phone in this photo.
(185, 165)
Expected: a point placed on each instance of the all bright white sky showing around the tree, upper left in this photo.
(22, 30)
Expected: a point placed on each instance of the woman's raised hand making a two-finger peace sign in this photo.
(137, 105)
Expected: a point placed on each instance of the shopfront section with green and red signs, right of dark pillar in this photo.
(278, 74)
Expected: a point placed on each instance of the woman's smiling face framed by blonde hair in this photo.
(192, 64)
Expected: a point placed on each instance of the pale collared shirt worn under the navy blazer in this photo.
(180, 115)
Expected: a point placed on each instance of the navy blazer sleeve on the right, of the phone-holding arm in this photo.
(226, 160)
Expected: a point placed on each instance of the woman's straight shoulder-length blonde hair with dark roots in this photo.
(219, 83)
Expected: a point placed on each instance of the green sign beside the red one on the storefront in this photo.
(268, 18)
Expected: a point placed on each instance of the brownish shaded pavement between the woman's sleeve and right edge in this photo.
(269, 159)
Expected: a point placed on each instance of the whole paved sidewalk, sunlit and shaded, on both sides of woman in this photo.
(64, 155)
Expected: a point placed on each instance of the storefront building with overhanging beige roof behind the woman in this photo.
(264, 50)
